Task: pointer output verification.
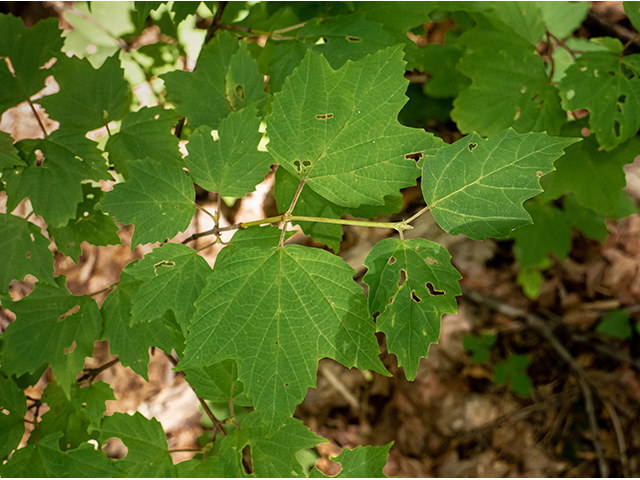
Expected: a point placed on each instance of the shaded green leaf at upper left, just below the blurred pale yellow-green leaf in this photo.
(88, 98)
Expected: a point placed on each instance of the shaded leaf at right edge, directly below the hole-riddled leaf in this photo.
(594, 176)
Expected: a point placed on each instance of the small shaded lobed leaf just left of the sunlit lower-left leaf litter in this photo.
(76, 417)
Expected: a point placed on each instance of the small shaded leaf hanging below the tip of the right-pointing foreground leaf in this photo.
(549, 233)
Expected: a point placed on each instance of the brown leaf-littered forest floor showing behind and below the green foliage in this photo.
(453, 420)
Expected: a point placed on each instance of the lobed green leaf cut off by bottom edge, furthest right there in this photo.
(362, 462)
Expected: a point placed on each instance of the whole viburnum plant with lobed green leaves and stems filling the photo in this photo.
(325, 83)
